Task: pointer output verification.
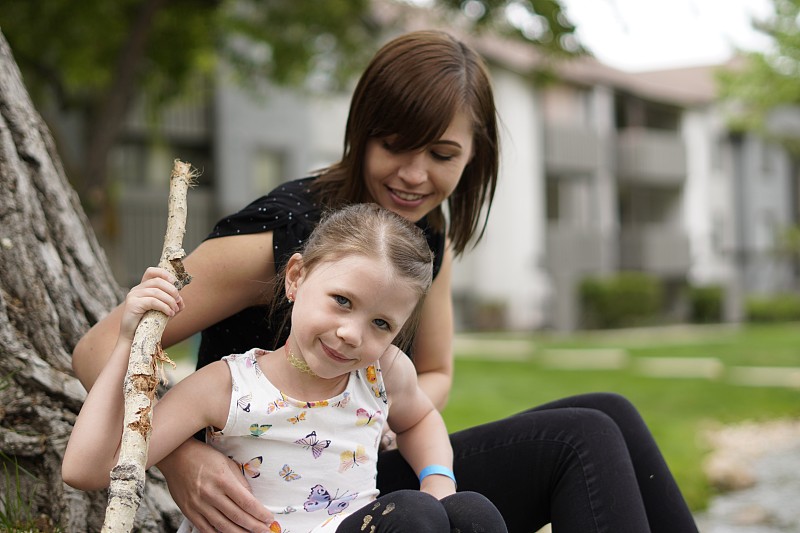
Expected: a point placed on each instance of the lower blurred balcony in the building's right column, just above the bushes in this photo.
(661, 250)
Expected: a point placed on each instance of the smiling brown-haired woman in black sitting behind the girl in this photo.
(422, 132)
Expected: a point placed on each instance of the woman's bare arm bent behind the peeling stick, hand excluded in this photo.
(228, 275)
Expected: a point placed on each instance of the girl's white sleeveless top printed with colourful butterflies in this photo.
(310, 462)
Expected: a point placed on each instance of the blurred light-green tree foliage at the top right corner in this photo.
(763, 83)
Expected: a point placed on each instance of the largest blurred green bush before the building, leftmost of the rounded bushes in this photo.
(622, 300)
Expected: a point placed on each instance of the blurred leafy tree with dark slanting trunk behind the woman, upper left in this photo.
(91, 58)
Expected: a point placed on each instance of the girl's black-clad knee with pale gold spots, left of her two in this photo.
(399, 512)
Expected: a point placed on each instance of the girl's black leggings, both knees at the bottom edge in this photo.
(404, 511)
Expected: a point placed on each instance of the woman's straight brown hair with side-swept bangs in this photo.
(411, 90)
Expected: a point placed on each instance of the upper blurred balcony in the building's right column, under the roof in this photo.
(651, 157)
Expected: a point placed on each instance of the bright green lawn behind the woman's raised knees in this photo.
(678, 411)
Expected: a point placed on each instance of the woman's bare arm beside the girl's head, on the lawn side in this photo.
(433, 343)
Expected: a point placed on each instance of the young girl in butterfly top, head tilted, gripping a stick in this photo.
(304, 422)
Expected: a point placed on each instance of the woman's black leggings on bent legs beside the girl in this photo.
(586, 464)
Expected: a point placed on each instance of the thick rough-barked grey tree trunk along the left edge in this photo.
(55, 282)
